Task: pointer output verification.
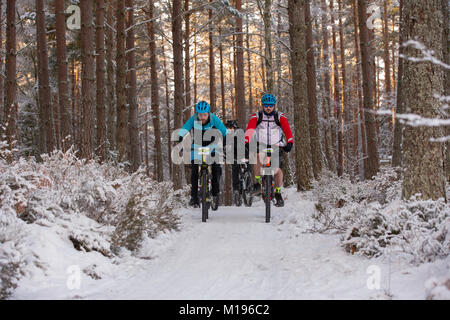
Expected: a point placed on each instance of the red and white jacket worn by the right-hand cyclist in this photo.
(268, 132)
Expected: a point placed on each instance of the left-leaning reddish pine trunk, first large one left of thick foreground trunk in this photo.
(367, 63)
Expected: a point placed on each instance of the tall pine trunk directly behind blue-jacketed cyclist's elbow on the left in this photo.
(177, 35)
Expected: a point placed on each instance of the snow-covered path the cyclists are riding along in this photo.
(235, 255)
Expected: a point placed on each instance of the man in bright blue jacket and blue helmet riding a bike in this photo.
(203, 120)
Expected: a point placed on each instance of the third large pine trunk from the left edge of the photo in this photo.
(63, 84)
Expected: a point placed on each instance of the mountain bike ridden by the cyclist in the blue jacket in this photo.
(205, 184)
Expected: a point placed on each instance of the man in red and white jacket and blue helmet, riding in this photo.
(269, 126)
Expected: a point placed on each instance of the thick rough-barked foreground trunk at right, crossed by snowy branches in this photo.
(423, 159)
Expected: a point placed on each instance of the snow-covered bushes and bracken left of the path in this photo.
(84, 206)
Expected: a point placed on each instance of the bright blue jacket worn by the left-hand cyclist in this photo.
(193, 124)
